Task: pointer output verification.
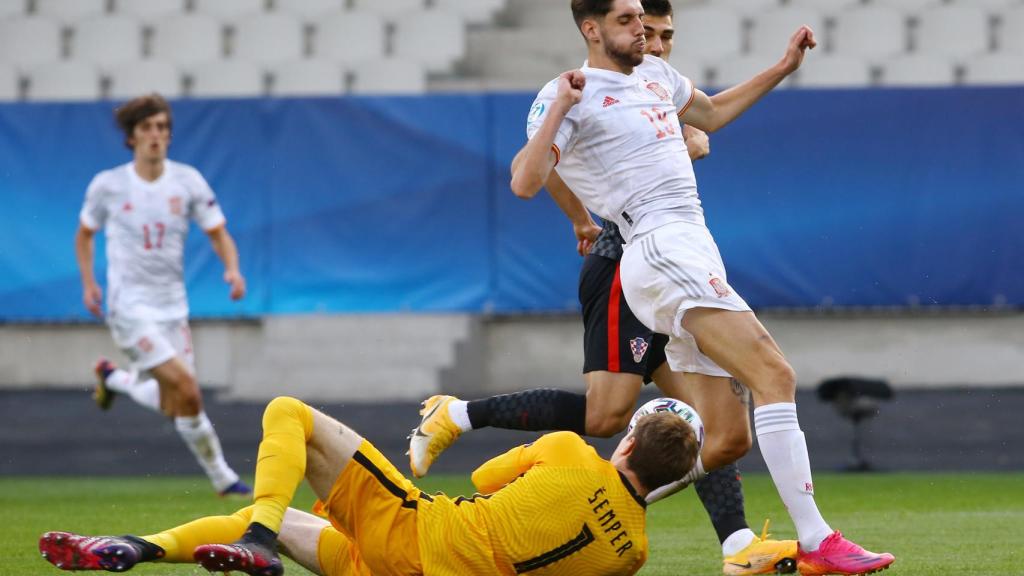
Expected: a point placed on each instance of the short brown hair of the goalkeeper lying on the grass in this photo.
(666, 449)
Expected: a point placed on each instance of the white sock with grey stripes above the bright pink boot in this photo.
(785, 450)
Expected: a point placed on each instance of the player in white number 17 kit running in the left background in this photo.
(146, 207)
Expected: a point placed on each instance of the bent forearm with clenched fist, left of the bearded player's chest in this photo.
(538, 158)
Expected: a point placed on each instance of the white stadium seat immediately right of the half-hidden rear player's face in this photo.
(710, 33)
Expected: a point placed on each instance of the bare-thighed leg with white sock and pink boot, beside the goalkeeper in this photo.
(742, 346)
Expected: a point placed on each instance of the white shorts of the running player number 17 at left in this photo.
(149, 344)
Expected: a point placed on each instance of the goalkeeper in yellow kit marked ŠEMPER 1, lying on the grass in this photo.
(553, 507)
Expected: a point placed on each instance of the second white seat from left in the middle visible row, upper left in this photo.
(107, 40)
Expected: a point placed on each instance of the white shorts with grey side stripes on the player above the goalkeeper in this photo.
(669, 271)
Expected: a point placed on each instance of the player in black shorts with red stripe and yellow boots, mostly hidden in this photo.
(620, 354)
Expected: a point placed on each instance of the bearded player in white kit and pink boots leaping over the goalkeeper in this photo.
(613, 130)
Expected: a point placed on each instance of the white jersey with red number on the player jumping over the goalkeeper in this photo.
(621, 149)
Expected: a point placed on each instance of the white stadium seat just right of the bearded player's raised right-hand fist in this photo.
(874, 33)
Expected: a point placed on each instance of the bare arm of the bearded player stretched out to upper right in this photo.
(712, 113)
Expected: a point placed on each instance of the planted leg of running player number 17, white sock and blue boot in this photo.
(181, 399)
